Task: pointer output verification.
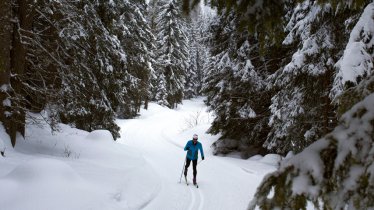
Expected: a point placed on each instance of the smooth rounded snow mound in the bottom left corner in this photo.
(46, 184)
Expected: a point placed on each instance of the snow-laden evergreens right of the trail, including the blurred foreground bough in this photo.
(315, 59)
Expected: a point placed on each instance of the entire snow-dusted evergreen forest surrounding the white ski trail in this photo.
(280, 76)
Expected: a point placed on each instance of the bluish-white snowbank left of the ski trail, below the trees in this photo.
(73, 169)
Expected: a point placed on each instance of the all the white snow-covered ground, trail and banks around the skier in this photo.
(74, 169)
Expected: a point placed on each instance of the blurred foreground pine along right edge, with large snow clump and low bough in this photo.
(336, 172)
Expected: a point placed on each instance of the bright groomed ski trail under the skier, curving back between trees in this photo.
(160, 135)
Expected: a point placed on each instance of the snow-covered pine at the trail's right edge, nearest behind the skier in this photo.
(235, 90)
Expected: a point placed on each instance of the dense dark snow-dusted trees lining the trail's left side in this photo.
(86, 63)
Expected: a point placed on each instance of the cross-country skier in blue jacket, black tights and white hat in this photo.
(192, 148)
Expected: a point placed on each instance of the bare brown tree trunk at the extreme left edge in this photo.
(5, 59)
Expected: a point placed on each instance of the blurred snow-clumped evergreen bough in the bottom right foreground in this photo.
(345, 176)
